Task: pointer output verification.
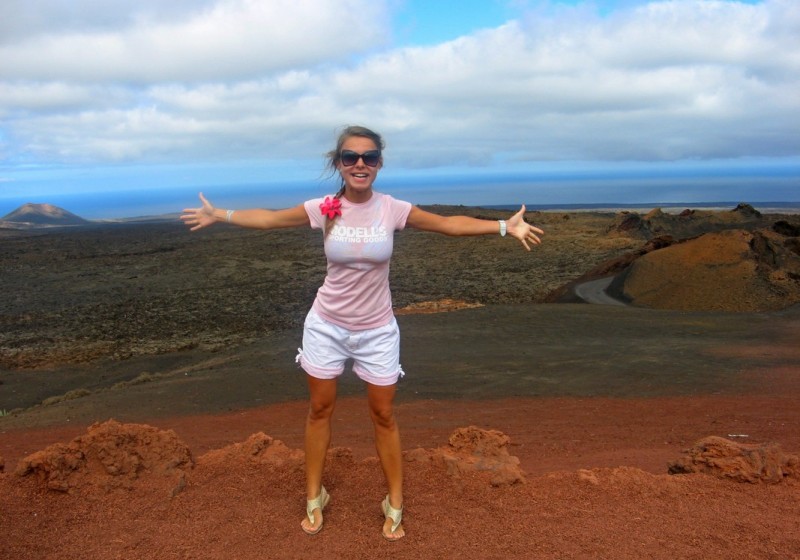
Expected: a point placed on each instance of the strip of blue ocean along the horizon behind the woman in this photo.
(126, 204)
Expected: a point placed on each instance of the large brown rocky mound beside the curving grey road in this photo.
(731, 270)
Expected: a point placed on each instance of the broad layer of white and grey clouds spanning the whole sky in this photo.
(272, 80)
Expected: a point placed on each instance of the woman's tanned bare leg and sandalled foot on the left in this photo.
(317, 438)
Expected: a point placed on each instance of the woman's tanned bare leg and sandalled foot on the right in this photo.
(387, 442)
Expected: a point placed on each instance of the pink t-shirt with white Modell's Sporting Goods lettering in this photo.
(355, 294)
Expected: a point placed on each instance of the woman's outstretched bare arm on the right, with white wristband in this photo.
(516, 226)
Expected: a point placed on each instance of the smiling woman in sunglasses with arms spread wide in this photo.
(352, 314)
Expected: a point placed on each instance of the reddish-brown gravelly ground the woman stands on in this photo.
(595, 486)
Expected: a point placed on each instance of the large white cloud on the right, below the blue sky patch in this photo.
(667, 80)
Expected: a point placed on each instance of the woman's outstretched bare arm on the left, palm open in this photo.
(257, 218)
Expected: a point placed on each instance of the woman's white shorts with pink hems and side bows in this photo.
(326, 347)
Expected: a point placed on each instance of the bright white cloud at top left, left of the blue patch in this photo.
(228, 40)
